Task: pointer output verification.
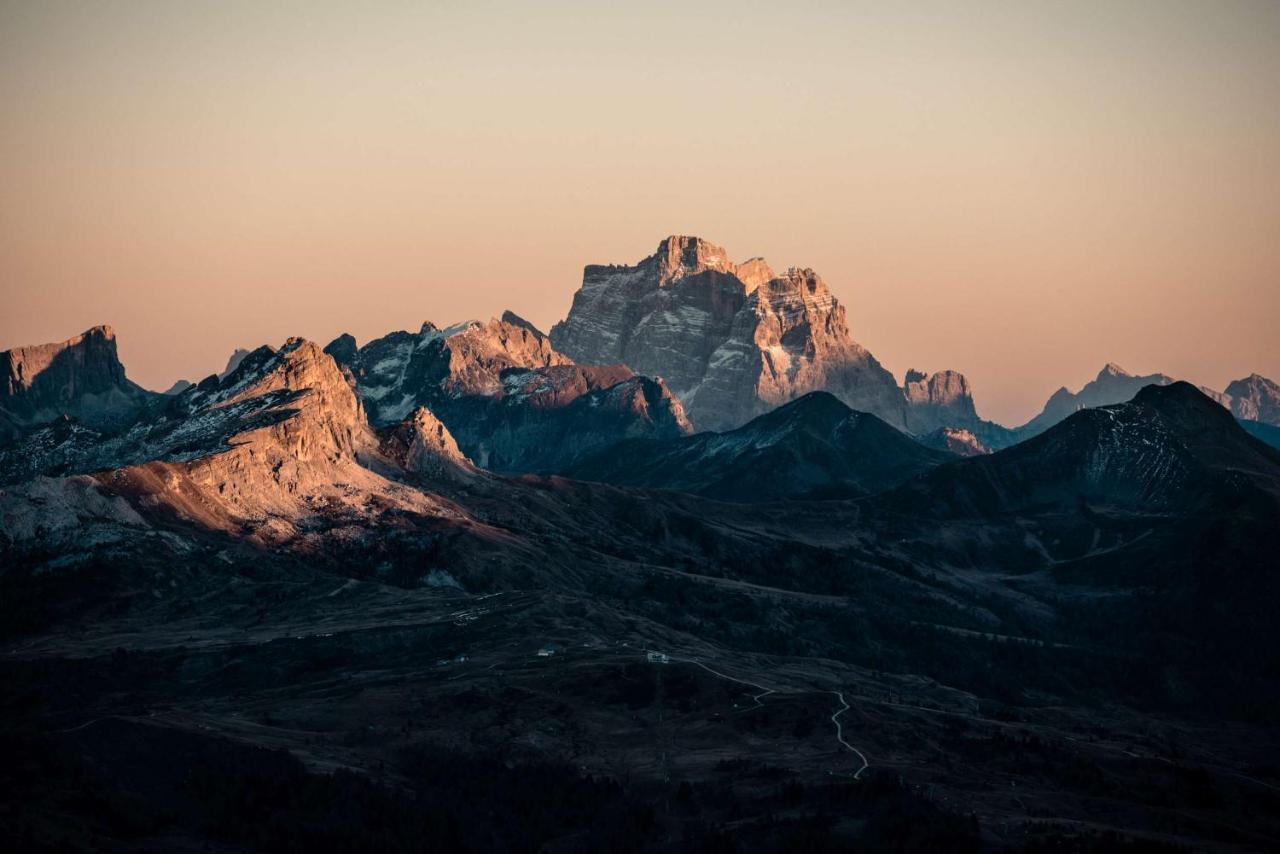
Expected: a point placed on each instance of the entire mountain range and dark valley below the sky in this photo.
(689, 573)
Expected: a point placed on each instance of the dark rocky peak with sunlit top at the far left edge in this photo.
(81, 378)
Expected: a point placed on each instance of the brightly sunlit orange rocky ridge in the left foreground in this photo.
(277, 447)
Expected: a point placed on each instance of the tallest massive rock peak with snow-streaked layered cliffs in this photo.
(733, 341)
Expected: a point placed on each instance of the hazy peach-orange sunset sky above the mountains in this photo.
(1020, 191)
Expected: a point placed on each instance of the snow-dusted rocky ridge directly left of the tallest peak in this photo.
(510, 400)
